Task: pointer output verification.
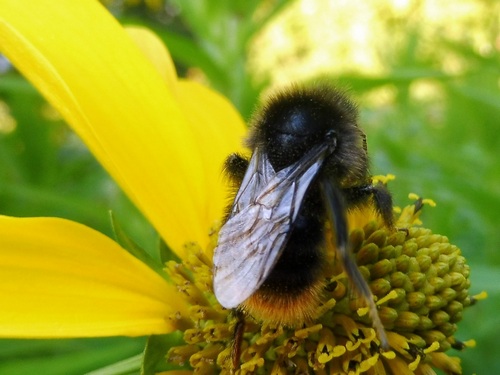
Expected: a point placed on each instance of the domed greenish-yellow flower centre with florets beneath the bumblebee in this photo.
(420, 282)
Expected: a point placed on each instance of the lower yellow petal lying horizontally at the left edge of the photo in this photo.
(62, 279)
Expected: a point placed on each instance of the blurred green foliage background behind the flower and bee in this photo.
(425, 75)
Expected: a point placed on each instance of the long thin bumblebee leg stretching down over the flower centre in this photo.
(336, 209)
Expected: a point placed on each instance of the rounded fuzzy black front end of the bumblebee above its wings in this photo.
(297, 119)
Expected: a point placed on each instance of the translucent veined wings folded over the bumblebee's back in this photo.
(253, 238)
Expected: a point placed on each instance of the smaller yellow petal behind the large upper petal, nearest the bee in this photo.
(218, 128)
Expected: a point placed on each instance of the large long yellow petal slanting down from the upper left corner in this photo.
(81, 59)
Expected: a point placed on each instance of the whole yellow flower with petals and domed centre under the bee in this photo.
(164, 141)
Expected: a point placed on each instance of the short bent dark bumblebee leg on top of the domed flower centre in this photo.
(382, 200)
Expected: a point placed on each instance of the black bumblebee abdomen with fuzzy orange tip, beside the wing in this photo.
(292, 291)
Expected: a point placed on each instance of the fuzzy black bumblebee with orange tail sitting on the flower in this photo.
(309, 166)
